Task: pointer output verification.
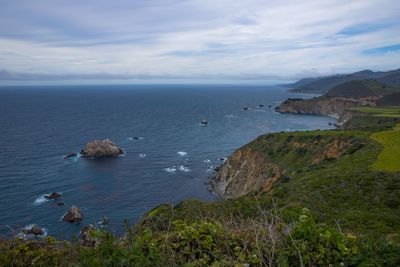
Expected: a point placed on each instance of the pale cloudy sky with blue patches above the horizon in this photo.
(75, 41)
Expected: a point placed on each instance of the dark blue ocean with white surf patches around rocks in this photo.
(169, 154)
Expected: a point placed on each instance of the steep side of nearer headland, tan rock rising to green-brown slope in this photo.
(270, 158)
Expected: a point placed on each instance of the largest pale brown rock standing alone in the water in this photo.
(101, 149)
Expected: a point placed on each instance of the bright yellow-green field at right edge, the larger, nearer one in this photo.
(389, 158)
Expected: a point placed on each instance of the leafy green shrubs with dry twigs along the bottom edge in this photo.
(265, 239)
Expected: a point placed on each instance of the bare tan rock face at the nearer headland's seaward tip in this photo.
(245, 171)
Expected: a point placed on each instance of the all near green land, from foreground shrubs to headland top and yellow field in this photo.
(333, 206)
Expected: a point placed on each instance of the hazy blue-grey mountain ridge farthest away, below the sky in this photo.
(323, 84)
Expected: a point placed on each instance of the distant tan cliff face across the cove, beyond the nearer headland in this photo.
(324, 106)
